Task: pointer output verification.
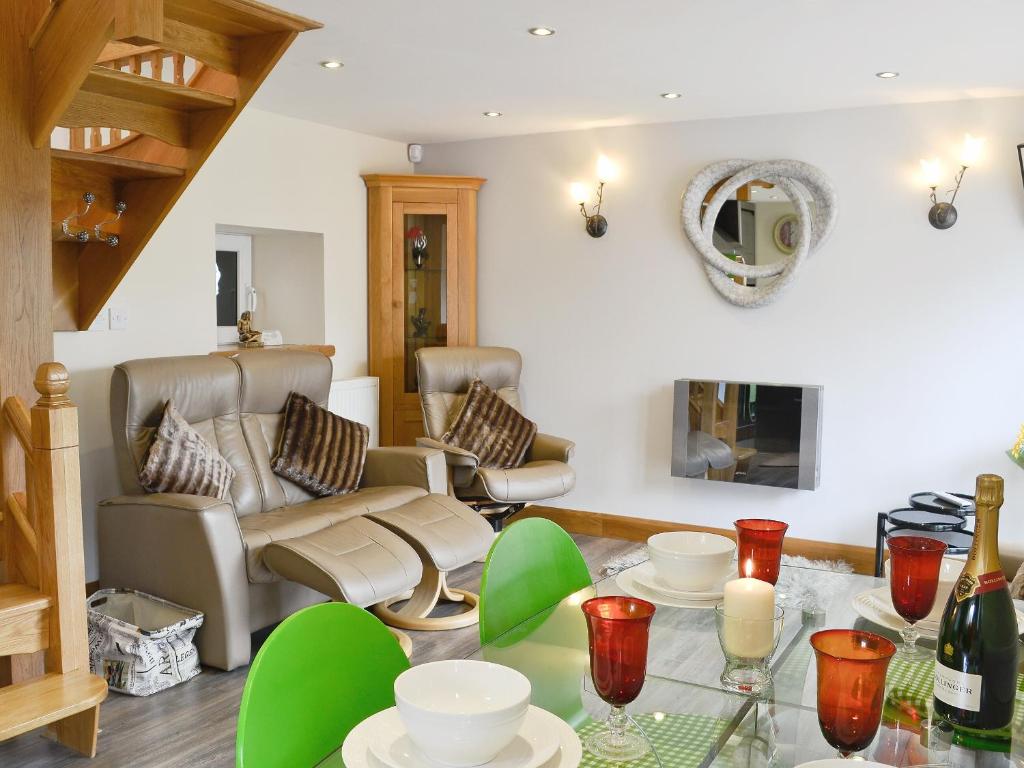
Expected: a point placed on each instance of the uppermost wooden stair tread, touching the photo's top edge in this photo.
(237, 18)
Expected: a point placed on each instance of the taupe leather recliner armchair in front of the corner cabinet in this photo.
(445, 377)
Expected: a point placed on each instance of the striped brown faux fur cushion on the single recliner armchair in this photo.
(490, 428)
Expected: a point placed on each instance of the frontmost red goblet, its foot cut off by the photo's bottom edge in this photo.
(852, 668)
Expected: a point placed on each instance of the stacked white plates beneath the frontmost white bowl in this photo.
(566, 752)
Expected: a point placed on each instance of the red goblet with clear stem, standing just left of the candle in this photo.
(619, 628)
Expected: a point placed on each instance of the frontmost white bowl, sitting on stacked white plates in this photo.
(462, 713)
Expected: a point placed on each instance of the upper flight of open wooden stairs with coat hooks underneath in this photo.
(139, 131)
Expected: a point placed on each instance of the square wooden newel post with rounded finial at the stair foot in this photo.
(57, 490)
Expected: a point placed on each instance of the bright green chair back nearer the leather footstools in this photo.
(533, 566)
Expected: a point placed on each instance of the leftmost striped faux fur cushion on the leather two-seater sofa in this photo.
(182, 461)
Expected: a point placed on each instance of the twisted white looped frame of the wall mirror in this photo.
(802, 183)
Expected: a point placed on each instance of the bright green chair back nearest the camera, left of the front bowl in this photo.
(321, 673)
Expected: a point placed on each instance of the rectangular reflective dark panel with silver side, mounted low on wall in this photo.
(759, 435)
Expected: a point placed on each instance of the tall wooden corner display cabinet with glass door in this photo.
(422, 278)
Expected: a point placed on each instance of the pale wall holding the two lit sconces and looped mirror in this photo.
(915, 333)
